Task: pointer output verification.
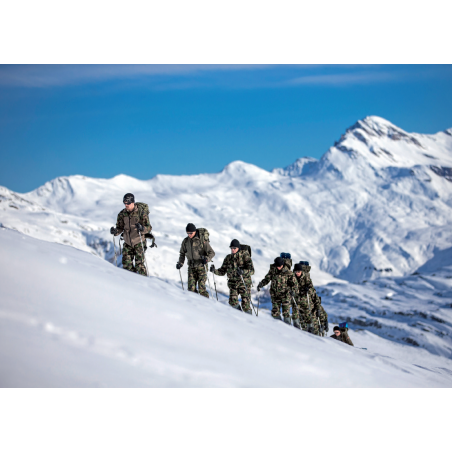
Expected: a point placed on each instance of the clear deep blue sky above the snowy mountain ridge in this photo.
(140, 120)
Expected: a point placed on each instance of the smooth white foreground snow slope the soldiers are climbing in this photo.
(70, 319)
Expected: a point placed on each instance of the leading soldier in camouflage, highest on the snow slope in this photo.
(132, 222)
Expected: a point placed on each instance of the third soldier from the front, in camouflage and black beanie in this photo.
(236, 266)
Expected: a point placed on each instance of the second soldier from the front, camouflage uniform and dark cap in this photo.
(198, 252)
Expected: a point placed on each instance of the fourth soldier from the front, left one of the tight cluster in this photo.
(283, 282)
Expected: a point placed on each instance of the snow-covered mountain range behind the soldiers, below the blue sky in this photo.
(373, 216)
